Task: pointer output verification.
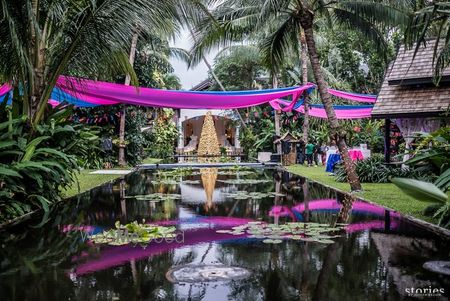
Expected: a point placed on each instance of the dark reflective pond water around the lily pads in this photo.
(376, 255)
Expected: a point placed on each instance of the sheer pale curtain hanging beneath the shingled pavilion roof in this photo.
(409, 126)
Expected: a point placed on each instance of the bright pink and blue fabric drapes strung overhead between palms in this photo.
(89, 93)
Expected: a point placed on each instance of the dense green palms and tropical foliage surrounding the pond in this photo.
(345, 45)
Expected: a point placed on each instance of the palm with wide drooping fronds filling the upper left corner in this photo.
(42, 39)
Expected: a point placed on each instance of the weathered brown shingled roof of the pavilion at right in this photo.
(407, 90)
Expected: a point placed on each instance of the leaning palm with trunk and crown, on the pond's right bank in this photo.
(237, 19)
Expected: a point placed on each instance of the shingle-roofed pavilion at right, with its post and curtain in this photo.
(409, 96)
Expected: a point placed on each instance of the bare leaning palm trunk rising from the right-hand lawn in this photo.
(337, 133)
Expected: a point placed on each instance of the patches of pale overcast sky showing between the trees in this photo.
(189, 78)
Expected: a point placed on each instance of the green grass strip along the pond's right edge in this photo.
(385, 194)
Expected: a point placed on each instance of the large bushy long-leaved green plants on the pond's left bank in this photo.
(34, 167)
